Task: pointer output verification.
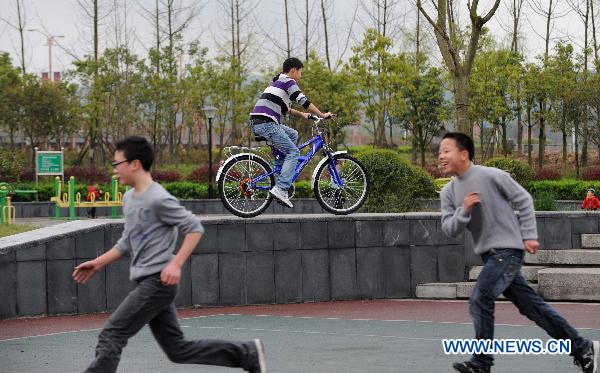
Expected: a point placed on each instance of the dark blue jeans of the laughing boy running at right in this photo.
(501, 274)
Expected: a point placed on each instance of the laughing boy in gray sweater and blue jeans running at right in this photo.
(481, 199)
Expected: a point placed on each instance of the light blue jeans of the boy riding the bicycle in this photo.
(284, 138)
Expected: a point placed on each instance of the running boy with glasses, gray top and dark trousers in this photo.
(152, 217)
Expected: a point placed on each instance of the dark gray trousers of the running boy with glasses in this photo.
(151, 303)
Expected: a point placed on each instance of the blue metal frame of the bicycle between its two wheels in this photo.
(317, 143)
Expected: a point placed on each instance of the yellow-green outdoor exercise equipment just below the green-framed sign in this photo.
(71, 200)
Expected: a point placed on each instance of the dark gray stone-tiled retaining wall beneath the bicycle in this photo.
(284, 259)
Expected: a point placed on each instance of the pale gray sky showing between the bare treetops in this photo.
(66, 18)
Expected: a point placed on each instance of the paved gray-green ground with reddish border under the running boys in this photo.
(335, 337)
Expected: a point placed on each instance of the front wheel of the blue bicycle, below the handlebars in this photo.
(349, 195)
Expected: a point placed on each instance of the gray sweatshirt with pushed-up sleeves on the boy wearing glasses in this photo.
(150, 234)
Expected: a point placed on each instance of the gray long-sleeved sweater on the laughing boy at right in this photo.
(492, 222)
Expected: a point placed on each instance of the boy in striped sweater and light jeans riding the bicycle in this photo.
(266, 121)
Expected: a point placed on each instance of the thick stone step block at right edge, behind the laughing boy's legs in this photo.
(569, 284)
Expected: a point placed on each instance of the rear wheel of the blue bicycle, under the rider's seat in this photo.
(241, 194)
